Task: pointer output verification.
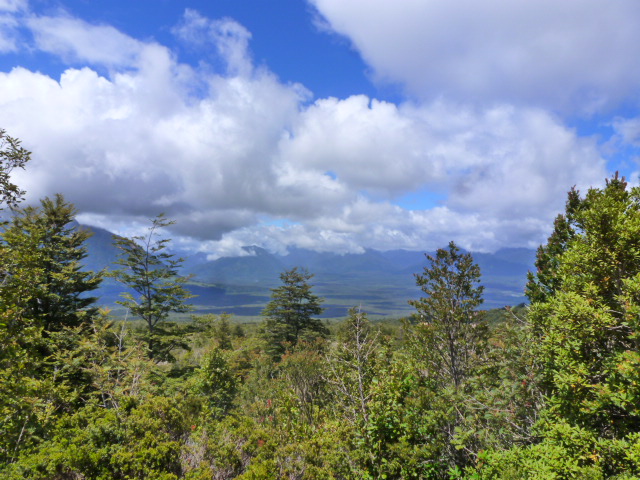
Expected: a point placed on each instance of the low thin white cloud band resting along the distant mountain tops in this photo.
(387, 227)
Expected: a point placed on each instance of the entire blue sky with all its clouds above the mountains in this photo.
(333, 125)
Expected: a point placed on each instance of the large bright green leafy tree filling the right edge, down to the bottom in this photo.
(584, 321)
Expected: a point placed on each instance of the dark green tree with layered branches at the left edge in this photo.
(47, 242)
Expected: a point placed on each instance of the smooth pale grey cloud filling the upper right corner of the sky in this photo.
(576, 56)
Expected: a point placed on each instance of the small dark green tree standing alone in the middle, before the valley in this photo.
(289, 313)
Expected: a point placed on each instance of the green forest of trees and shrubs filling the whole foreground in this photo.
(550, 390)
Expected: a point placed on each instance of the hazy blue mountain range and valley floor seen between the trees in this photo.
(381, 282)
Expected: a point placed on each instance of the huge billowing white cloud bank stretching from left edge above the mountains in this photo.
(239, 158)
